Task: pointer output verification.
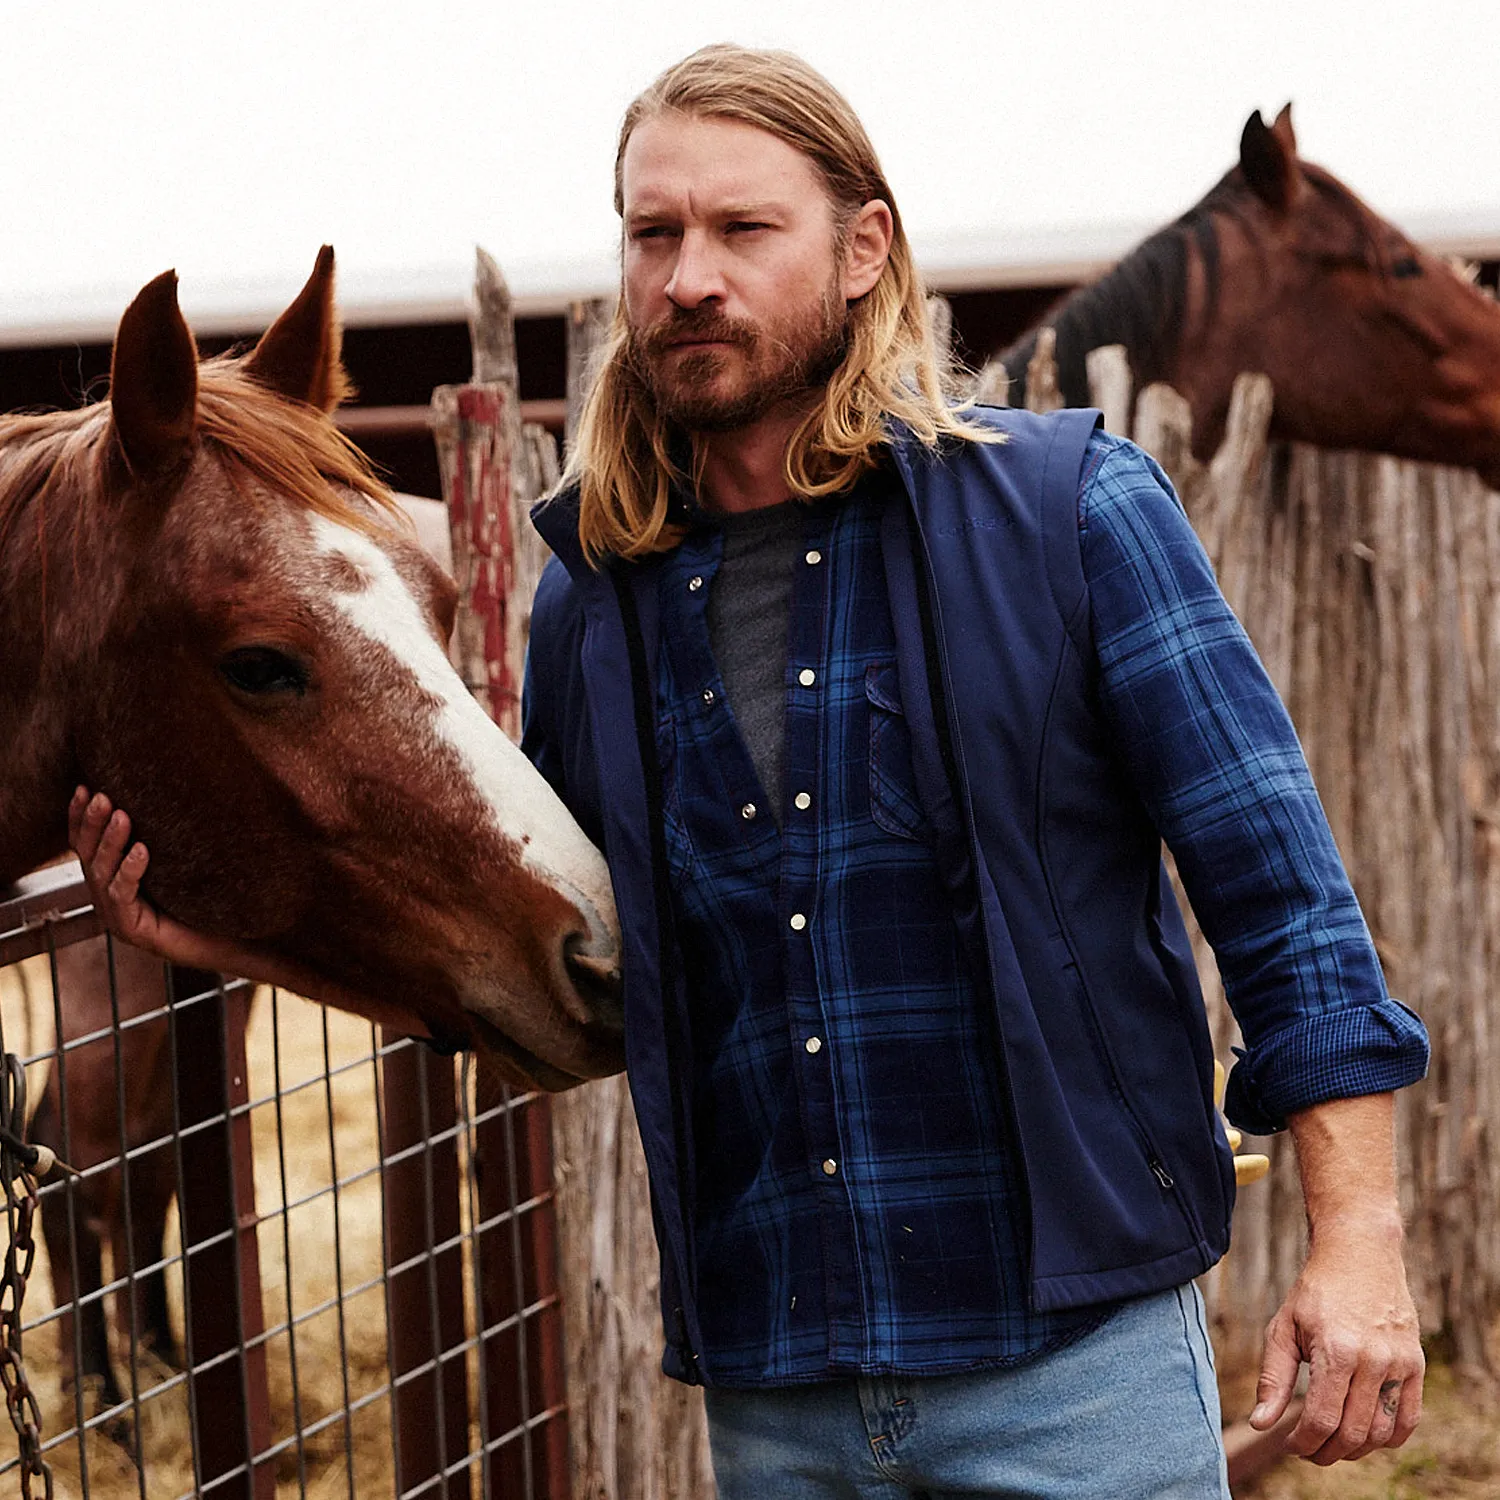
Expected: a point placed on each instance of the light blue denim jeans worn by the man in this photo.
(1130, 1412)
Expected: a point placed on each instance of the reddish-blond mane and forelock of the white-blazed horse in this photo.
(289, 446)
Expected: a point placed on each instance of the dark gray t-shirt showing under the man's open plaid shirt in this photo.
(749, 614)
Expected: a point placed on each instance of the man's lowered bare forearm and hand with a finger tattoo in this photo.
(1351, 1315)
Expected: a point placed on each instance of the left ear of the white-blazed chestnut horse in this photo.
(154, 380)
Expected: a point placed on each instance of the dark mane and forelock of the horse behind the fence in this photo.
(1142, 302)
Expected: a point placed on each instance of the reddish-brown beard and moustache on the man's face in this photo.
(764, 365)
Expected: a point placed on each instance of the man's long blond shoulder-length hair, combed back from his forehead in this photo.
(626, 460)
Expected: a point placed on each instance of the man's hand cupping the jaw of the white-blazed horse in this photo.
(115, 868)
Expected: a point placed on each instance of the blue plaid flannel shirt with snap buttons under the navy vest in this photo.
(857, 1201)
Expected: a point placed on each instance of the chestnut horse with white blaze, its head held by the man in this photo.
(212, 616)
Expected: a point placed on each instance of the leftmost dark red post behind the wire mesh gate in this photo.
(217, 1204)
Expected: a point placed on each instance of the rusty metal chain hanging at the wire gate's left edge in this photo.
(17, 1168)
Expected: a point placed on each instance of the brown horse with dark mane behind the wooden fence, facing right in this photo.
(1370, 341)
